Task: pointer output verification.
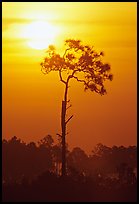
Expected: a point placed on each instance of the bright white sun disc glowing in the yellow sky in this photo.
(40, 34)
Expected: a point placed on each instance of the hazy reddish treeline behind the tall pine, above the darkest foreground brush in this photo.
(21, 160)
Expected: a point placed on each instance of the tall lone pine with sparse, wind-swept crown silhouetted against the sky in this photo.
(79, 62)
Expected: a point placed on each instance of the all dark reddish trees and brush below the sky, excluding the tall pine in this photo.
(32, 172)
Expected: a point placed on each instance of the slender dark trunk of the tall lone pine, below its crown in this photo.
(63, 126)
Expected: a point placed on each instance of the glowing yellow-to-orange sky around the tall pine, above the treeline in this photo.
(31, 101)
